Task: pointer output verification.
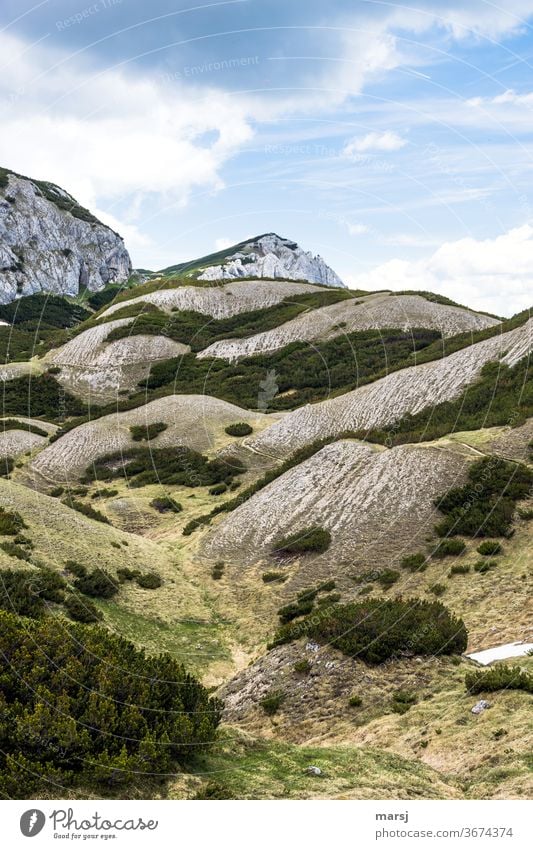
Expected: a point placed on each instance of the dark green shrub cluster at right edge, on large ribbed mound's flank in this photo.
(485, 506)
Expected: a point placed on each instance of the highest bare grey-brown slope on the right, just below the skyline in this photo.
(371, 312)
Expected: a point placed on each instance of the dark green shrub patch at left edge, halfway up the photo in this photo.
(39, 397)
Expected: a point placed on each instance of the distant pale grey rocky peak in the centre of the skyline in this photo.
(273, 257)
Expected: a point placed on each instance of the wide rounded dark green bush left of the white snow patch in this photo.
(378, 629)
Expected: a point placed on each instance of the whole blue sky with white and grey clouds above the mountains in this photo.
(395, 140)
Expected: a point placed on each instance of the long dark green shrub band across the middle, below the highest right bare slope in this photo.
(308, 373)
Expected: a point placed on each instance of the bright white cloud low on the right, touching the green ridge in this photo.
(495, 275)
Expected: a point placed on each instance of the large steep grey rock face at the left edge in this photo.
(46, 247)
